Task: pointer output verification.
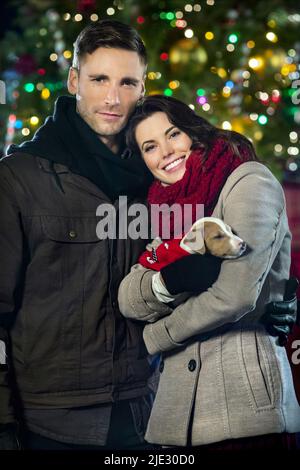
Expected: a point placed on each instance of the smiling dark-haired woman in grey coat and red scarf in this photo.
(223, 378)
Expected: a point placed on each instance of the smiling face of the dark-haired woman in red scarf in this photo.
(164, 147)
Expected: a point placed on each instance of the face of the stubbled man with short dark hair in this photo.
(107, 87)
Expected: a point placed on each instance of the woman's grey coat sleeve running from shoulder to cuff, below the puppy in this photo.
(254, 206)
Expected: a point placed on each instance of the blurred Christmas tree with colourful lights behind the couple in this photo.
(235, 63)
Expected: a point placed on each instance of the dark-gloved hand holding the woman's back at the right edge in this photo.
(280, 316)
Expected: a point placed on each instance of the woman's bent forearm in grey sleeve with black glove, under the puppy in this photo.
(143, 296)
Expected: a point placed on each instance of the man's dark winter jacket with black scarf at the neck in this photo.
(67, 343)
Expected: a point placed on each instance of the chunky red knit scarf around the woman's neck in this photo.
(201, 183)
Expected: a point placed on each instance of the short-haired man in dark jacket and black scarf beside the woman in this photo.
(73, 371)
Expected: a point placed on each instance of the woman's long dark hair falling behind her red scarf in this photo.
(202, 133)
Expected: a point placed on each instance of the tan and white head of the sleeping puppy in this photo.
(212, 235)
